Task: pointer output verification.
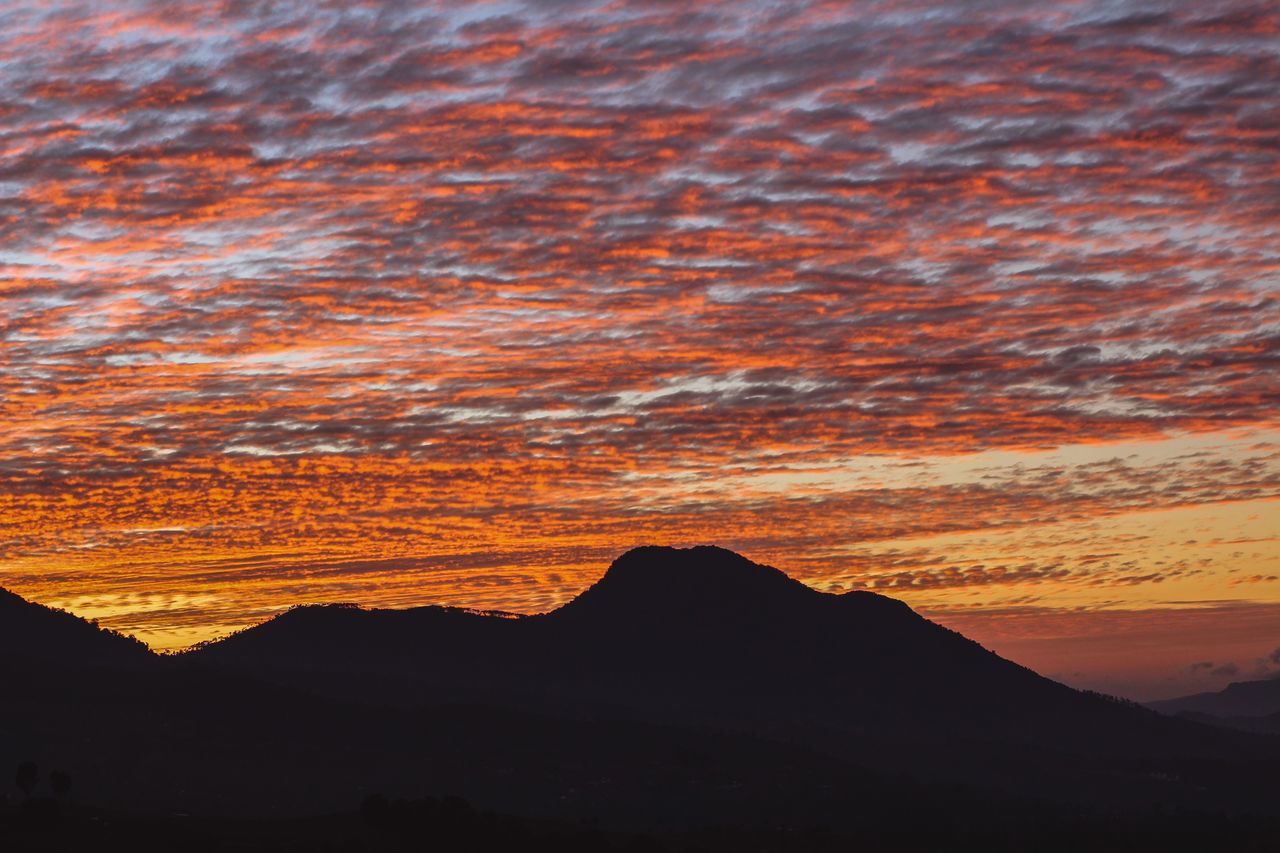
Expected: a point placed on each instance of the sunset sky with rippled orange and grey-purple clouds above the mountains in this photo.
(975, 304)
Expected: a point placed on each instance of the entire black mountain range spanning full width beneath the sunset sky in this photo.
(685, 686)
